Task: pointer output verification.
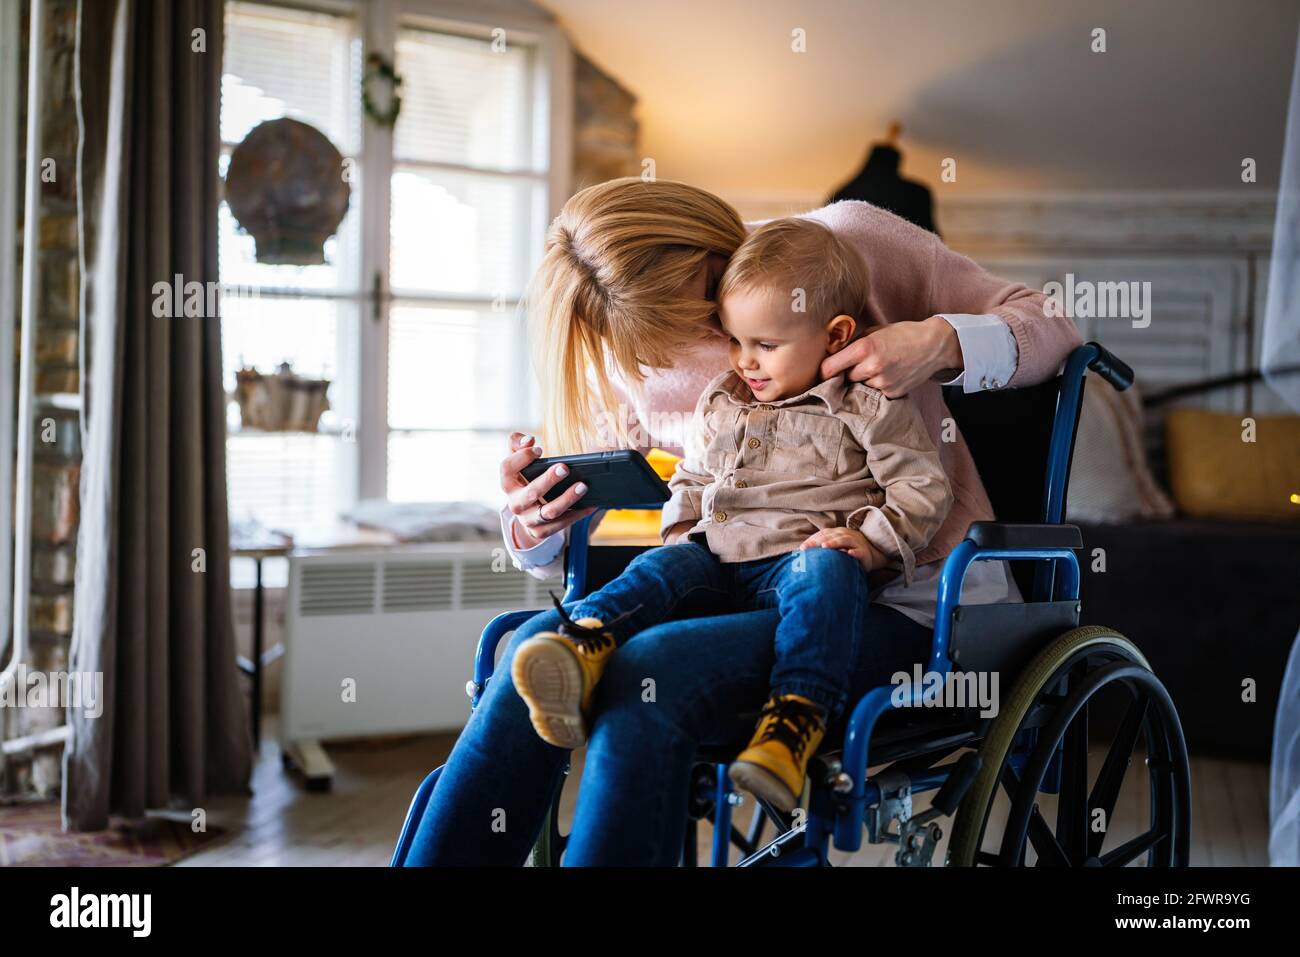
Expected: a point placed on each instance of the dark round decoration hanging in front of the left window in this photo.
(287, 187)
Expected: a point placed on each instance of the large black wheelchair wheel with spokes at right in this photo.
(1037, 754)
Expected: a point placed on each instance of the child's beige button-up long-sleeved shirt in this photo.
(760, 478)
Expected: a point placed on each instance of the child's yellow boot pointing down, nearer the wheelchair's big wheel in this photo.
(774, 765)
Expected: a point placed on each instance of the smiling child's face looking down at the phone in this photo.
(774, 349)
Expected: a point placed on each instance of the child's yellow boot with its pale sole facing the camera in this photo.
(556, 674)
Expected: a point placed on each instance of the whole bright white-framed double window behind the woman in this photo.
(415, 317)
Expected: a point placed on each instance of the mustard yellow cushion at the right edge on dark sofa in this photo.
(1215, 474)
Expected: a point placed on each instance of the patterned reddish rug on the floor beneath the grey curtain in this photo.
(32, 837)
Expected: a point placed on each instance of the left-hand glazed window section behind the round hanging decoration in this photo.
(306, 66)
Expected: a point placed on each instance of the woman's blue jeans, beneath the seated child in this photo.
(683, 682)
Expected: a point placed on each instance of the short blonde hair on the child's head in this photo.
(796, 256)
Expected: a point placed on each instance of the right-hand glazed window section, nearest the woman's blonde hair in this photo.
(469, 210)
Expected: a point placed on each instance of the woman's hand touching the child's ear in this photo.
(899, 357)
